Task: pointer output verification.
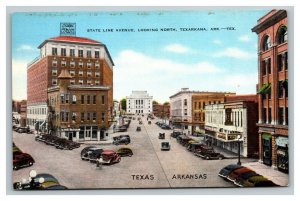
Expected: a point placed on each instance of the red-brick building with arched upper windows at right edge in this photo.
(273, 88)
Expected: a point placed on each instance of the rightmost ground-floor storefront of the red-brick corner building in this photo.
(282, 154)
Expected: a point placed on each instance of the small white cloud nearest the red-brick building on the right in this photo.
(234, 52)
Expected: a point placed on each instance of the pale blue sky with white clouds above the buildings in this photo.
(159, 62)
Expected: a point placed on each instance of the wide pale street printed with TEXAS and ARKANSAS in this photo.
(149, 167)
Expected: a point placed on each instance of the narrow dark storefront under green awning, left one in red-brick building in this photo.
(267, 148)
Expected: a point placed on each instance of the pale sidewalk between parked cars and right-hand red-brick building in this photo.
(269, 172)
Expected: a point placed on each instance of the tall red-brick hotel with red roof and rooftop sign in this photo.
(88, 63)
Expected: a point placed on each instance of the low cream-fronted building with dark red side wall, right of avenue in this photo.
(232, 124)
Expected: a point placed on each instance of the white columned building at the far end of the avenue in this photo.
(139, 102)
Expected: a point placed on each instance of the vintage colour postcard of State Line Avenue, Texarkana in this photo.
(150, 99)
